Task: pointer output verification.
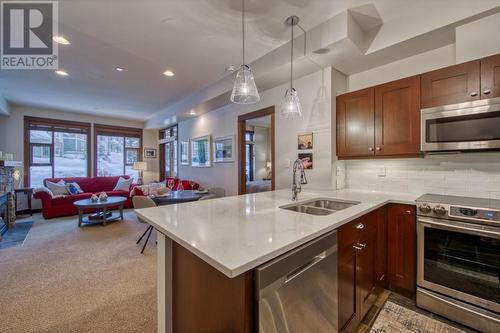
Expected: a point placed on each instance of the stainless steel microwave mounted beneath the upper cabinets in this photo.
(461, 127)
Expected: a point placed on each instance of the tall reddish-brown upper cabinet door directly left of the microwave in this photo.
(397, 117)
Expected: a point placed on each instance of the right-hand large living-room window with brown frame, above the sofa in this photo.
(117, 148)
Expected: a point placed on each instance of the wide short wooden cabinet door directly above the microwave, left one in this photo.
(450, 85)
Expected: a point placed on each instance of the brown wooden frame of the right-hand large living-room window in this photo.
(120, 131)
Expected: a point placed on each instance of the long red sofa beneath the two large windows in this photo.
(63, 206)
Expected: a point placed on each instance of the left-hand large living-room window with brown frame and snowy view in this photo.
(55, 149)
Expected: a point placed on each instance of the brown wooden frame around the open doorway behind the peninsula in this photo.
(269, 111)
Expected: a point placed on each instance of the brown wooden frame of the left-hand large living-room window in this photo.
(52, 125)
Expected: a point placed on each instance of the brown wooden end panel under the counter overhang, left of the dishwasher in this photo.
(205, 300)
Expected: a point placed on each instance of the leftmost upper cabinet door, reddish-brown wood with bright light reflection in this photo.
(355, 123)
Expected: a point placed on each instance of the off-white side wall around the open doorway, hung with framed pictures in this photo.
(314, 91)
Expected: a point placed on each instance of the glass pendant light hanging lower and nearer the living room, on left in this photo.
(244, 89)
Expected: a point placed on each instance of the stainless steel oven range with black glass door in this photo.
(458, 261)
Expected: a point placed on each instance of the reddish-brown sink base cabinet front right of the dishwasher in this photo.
(358, 268)
